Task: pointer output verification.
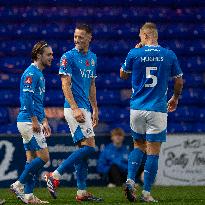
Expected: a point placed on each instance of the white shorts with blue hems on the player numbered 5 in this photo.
(148, 125)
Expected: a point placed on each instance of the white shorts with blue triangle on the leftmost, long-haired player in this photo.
(32, 141)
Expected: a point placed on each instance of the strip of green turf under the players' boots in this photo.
(165, 195)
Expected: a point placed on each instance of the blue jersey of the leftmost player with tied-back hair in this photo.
(32, 91)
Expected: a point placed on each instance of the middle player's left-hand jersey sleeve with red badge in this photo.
(66, 65)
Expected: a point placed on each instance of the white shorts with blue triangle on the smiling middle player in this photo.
(78, 130)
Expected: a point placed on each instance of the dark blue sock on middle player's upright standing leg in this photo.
(81, 174)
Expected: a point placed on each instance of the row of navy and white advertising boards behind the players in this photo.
(182, 160)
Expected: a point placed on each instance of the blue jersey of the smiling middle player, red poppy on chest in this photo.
(81, 68)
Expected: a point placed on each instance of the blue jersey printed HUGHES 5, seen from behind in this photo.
(151, 68)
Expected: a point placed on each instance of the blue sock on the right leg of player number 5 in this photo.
(150, 171)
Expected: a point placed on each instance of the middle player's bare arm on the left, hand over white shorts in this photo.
(66, 83)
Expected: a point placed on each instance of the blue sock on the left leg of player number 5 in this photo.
(134, 162)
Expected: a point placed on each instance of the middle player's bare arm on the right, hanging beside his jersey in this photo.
(93, 102)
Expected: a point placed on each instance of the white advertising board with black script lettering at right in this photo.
(182, 160)
